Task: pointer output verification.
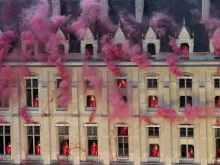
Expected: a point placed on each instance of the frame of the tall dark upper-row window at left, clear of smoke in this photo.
(32, 93)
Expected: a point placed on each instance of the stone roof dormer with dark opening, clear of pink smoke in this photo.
(151, 41)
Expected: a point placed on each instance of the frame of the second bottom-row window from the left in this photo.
(33, 136)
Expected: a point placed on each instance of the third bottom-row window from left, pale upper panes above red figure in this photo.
(63, 135)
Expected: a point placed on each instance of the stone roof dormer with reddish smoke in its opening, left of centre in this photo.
(89, 44)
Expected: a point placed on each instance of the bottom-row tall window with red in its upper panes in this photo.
(123, 146)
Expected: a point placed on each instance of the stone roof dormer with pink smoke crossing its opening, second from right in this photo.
(185, 38)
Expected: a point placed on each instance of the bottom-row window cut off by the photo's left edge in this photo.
(5, 140)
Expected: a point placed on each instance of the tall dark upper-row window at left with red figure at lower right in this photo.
(32, 92)
